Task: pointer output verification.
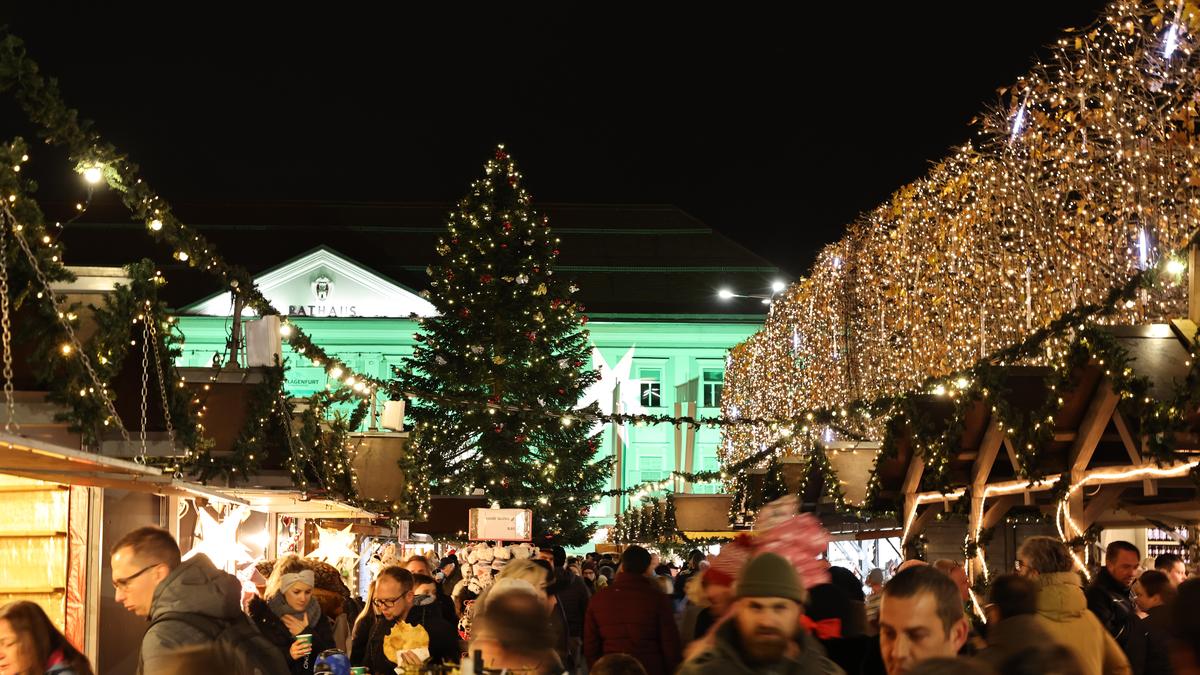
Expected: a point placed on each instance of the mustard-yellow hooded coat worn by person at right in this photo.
(1064, 608)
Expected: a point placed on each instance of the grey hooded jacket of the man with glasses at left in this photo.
(196, 587)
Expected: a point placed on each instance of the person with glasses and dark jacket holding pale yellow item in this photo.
(389, 602)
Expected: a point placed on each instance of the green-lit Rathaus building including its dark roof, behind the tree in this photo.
(649, 277)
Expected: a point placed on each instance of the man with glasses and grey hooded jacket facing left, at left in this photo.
(153, 583)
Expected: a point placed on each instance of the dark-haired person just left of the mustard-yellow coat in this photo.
(1013, 623)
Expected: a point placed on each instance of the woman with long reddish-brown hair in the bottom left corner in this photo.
(29, 643)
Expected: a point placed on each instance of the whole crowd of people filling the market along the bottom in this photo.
(637, 616)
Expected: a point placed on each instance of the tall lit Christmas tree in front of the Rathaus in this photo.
(499, 367)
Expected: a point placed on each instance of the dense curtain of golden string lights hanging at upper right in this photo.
(1083, 177)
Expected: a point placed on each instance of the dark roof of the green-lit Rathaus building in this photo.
(629, 260)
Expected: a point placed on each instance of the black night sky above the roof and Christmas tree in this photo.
(775, 129)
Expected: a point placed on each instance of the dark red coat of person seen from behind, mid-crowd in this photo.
(633, 617)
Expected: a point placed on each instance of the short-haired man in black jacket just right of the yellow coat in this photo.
(1111, 600)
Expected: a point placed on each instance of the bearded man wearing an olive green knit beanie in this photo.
(764, 634)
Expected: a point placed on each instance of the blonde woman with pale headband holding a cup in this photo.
(289, 610)
